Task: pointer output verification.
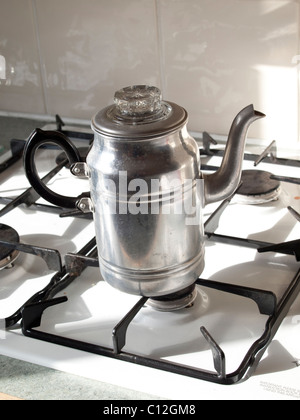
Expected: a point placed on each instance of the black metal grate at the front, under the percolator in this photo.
(266, 301)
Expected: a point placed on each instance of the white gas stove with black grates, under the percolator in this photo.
(242, 327)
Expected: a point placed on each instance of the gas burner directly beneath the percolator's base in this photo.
(175, 301)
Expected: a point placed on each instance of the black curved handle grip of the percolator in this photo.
(36, 139)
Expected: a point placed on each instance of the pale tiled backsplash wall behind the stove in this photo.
(213, 57)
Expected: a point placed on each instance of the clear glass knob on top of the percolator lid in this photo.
(138, 100)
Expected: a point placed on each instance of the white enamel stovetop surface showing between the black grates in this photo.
(94, 308)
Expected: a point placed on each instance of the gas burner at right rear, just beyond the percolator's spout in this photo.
(257, 188)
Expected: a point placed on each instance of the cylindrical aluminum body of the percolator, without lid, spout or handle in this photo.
(146, 196)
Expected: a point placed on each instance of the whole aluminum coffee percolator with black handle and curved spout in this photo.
(147, 192)
